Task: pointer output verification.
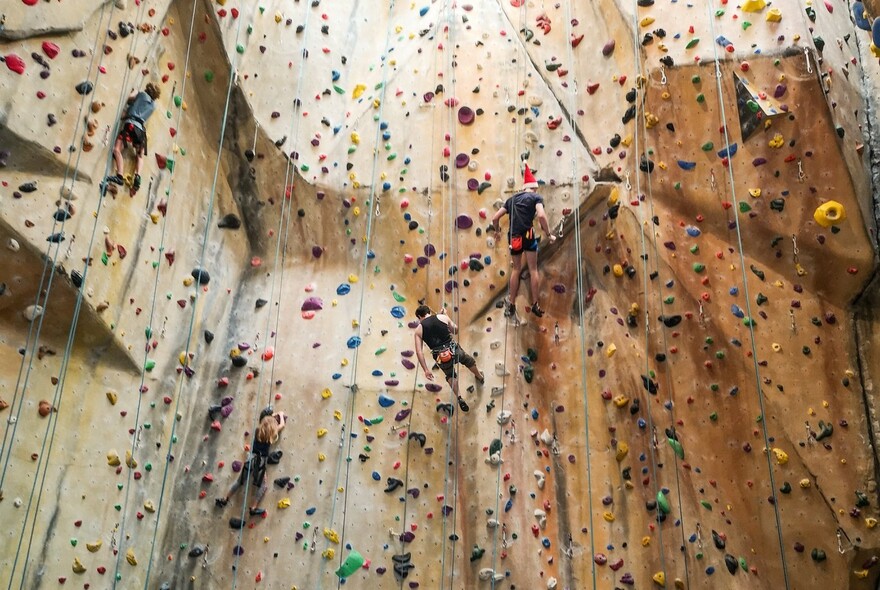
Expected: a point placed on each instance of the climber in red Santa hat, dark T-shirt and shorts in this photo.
(523, 207)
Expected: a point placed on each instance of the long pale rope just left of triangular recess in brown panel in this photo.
(748, 303)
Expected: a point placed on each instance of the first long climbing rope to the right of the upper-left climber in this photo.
(151, 316)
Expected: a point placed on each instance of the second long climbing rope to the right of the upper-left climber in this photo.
(192, 320)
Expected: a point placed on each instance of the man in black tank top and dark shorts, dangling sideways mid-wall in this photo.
(436, 331)
